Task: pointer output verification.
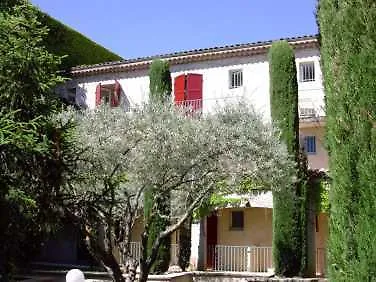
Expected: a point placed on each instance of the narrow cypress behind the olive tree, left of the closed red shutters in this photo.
(156, 202)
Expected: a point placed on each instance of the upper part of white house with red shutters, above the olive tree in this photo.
(206, 78)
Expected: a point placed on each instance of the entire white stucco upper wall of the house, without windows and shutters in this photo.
(255, 89)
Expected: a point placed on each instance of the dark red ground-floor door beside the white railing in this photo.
(211, 240)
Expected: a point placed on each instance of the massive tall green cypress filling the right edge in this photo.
(348, 52)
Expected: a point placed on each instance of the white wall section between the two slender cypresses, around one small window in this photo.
(216, 91)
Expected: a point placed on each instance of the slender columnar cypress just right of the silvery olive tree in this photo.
(289, 236)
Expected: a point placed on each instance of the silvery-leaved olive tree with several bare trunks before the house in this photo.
(159, 147)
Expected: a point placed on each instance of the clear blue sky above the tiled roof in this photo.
(147, 27)
